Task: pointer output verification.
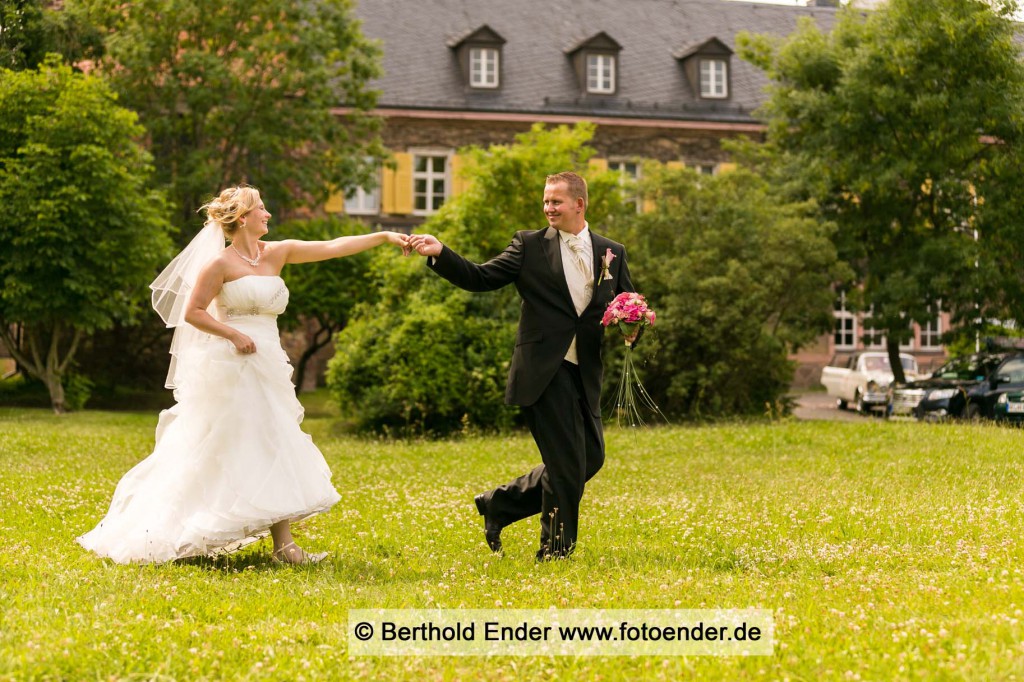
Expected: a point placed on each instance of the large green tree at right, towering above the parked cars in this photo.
(902, 122)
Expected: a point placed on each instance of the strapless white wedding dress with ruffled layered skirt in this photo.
(231, 459)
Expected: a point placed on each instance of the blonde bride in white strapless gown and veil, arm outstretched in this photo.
(231, 461)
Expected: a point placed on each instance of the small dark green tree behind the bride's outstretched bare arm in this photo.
(323, 295)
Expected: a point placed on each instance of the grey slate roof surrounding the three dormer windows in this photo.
(421, 71)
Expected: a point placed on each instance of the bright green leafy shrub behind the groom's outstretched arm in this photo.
(428, 357)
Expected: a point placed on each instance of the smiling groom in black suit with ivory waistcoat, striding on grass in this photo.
(567, 276)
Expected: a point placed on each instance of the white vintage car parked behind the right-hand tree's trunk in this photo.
(865, 380)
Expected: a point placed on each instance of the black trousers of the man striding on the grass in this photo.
(572, 445)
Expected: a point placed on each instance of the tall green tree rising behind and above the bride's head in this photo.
(245, 91)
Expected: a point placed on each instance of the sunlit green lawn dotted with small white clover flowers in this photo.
(885, 551)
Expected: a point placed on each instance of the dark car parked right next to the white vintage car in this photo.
(954, 392)
